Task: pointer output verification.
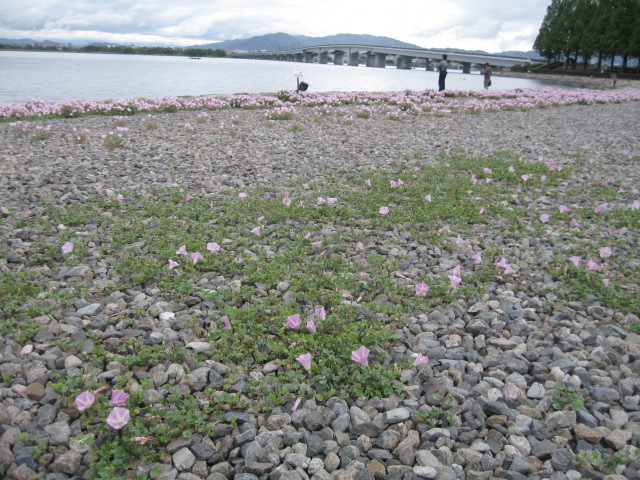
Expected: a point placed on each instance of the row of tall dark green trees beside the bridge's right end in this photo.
(574, 29)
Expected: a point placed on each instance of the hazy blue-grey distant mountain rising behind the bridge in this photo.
(284, 41)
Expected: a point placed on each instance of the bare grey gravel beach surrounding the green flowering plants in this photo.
(498, 357)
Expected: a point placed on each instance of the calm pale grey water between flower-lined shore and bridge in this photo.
(52, 76)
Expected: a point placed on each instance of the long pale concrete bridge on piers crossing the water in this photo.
(377, 56)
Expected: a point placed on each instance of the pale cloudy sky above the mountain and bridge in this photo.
(490, 25)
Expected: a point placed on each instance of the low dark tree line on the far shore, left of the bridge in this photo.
(189, 52)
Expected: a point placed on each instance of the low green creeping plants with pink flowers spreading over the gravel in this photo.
(361, 275)
